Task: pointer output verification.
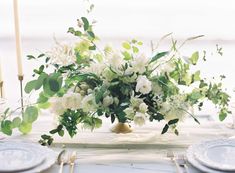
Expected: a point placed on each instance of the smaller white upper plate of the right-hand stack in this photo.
(217, 154)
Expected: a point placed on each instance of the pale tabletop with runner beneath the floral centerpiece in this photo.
(143, 150)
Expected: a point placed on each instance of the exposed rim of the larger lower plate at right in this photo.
(190, 154)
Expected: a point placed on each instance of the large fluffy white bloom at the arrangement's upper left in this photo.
(62, 55)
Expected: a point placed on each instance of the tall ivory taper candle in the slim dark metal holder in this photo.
(18, 39)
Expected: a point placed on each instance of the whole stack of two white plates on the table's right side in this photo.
(208, 156)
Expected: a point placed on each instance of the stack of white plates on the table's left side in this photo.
(25, 157)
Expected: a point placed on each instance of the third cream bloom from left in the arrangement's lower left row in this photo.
(88, 103)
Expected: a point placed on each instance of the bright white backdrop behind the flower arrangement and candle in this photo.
(119, 20)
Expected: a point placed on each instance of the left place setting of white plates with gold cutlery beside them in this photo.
(28, 157)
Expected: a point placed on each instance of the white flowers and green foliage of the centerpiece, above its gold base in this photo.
(81, 83)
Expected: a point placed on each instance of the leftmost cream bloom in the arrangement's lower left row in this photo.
(56, 106)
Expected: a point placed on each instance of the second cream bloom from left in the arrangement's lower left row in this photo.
(72, 101)
